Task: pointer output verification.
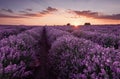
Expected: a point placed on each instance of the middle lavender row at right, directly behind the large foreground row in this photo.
(105, 40)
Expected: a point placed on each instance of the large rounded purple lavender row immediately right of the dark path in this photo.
(73, 58)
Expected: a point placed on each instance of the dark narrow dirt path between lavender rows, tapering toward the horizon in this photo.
(43, 72)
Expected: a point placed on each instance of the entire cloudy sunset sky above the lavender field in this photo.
(59, 12)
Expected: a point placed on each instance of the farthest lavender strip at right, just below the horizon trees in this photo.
(104, 29)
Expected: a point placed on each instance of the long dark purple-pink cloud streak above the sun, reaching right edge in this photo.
(95, 15)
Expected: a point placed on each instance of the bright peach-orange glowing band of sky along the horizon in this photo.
(55, 19)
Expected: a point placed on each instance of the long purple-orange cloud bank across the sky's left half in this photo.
(27, 13)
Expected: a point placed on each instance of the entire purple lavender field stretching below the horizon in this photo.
(61, 52)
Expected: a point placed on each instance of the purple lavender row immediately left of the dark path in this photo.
(18, 54)
